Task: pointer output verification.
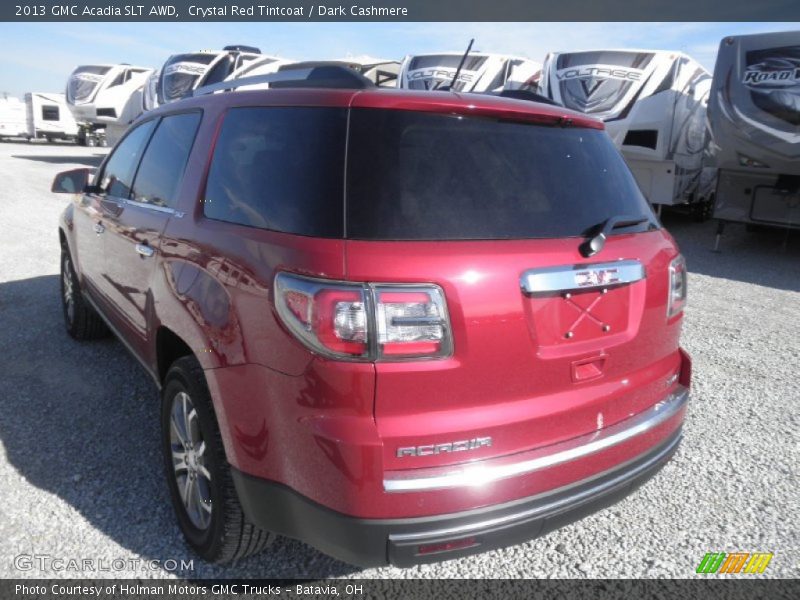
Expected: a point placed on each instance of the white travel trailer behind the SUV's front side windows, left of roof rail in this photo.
(105, 99)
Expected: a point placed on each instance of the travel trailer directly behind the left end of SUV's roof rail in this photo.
(184, 73)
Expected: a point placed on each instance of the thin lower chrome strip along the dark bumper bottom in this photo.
(551, 506)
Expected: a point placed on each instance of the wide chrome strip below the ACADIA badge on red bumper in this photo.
(484, 472)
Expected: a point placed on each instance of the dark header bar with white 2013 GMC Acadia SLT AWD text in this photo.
(398, 10)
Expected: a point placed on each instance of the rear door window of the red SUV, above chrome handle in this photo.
(165, 159)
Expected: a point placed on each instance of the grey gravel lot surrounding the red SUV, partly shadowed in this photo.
(79, 456)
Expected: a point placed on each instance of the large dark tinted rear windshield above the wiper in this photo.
(424, 176)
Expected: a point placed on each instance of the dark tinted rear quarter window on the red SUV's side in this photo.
(280, 169)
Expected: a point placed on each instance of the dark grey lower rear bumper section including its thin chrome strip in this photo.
(374, 542)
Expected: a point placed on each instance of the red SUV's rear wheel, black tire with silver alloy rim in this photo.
(211, 519)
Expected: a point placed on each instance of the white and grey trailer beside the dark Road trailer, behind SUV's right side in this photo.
(654, 104)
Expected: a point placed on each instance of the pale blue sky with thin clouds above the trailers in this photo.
(40, 56)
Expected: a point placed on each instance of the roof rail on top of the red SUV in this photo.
(328, 76)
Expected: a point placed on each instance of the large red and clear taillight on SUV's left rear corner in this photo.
(365, 321)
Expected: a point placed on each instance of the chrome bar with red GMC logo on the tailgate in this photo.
(565, 278)
